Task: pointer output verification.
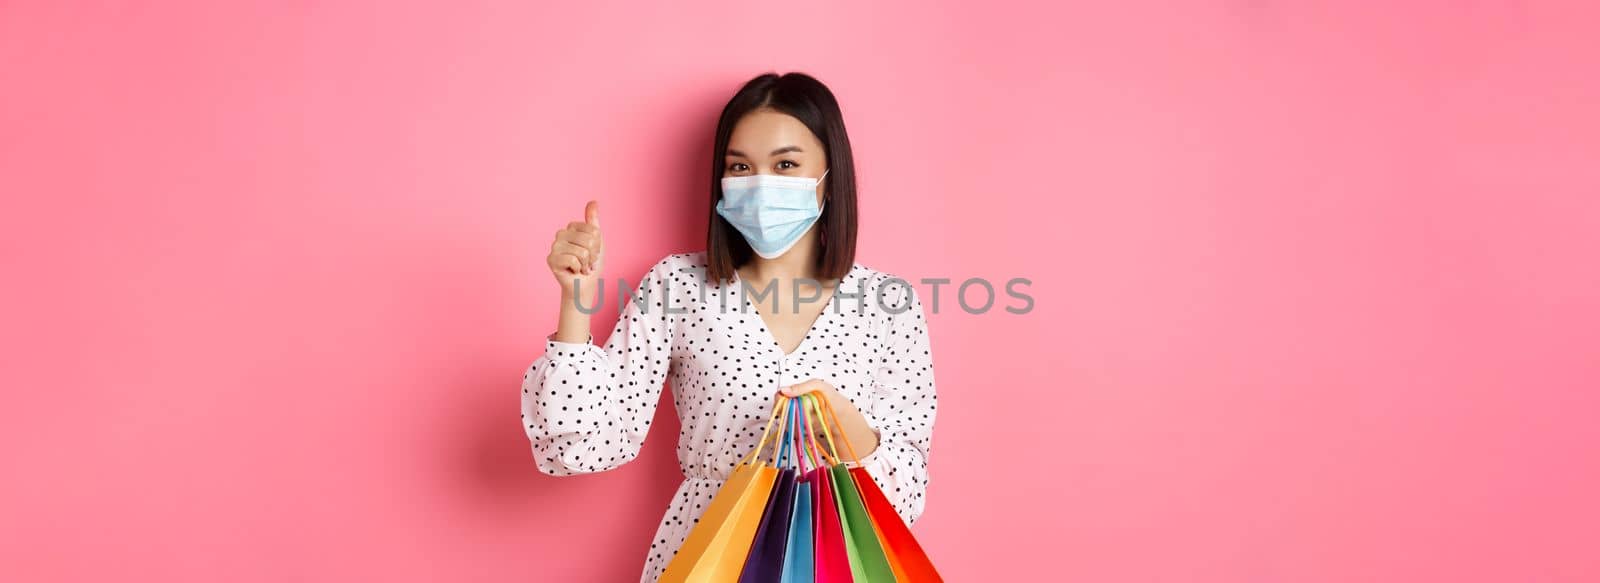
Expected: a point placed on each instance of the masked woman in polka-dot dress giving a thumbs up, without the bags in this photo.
(775, 304)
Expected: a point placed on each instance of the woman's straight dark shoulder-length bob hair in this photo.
(807, 100)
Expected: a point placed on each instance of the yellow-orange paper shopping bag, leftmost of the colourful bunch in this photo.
(721, 541)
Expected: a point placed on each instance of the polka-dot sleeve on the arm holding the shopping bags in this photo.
(905, 411)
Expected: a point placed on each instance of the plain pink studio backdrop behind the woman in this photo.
(1318, 284)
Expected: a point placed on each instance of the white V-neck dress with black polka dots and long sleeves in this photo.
(588, 409)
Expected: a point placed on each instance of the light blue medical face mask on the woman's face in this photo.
(772, 212)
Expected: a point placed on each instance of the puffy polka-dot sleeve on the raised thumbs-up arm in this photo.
(590, 409)
